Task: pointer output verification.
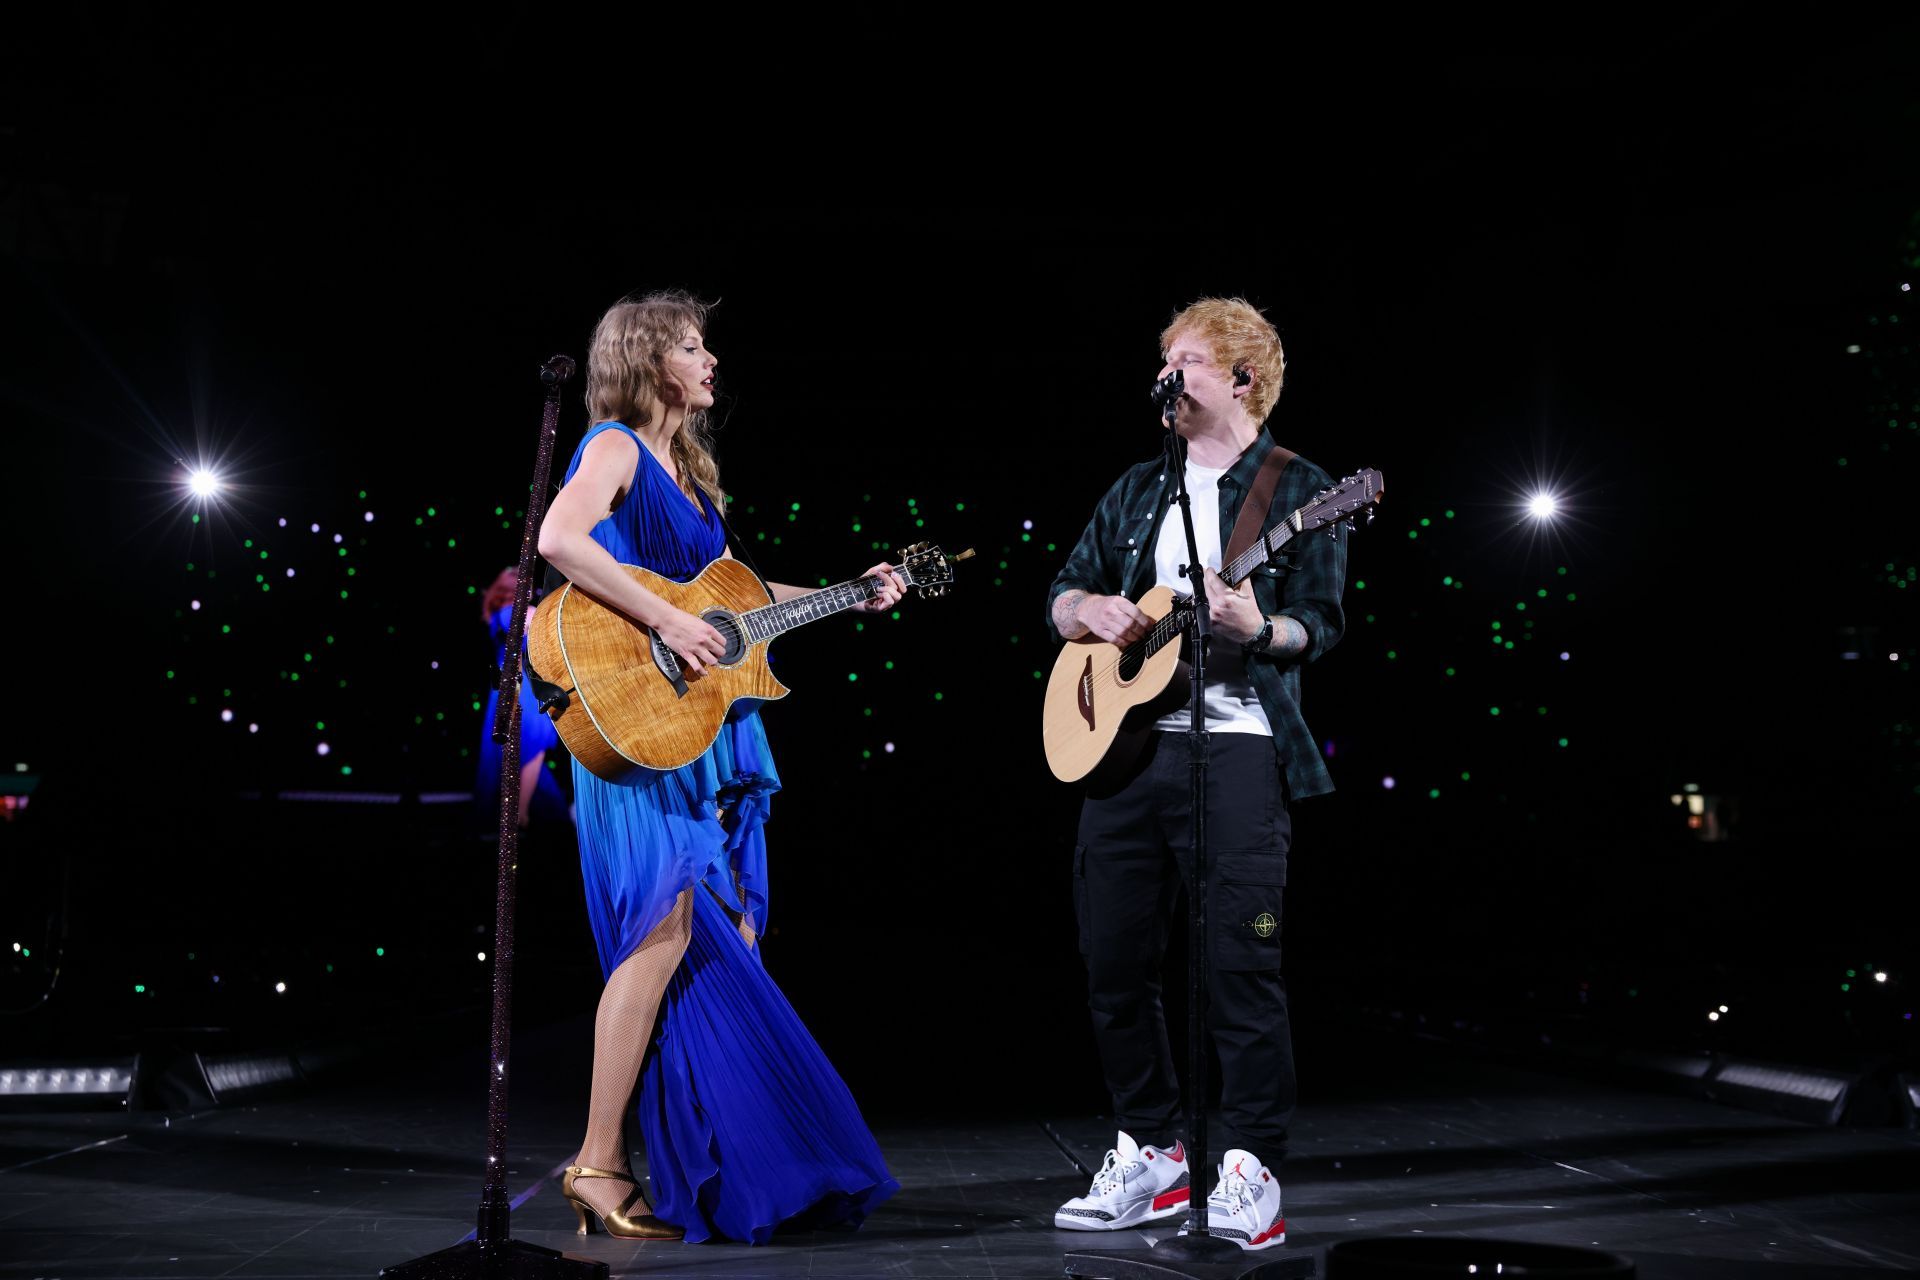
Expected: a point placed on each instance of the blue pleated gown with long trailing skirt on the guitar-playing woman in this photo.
(746, 1122)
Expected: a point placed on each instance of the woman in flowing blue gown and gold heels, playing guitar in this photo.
(744, 1120)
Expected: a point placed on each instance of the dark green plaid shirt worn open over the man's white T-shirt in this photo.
(1116, 557)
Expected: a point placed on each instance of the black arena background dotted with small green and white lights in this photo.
(1621, 264)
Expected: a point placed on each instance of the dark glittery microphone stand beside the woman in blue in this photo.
(492, 1252)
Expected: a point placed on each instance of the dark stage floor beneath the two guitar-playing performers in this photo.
(1416, 1137)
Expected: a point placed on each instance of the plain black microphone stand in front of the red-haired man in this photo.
(1197, 1254)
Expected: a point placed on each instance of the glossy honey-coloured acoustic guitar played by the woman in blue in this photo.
(615, 692)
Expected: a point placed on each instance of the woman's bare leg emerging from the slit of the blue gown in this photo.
(623, 1030)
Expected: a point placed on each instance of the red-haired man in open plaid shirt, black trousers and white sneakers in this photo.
(1134, 841)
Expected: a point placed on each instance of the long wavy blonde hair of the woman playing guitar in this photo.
(627, 377)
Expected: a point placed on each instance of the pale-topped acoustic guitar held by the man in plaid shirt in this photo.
(1103, 699)
